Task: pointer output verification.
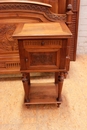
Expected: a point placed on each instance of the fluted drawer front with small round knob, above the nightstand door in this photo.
(42, 43)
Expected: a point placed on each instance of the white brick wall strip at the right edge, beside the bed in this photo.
(82, 31)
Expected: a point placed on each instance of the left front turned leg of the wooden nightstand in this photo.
(26, 86)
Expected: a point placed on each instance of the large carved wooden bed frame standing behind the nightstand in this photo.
(15, 12)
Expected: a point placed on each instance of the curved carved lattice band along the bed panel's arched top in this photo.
(33, 7)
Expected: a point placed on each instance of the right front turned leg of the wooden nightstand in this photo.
(60, 85)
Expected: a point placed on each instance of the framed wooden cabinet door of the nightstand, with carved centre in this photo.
(42, 59)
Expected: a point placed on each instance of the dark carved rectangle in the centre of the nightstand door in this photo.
(43, 58)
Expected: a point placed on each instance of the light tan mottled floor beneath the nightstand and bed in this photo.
(72, 114)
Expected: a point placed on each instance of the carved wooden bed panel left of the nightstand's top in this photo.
(7, 43)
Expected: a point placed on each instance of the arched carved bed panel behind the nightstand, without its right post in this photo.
(13, 13)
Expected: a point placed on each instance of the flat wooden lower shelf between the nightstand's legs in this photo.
(46, 94)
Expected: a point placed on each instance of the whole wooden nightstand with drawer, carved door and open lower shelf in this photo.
(43, 47)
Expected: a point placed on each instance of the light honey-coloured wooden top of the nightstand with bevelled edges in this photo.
(51, 29)
